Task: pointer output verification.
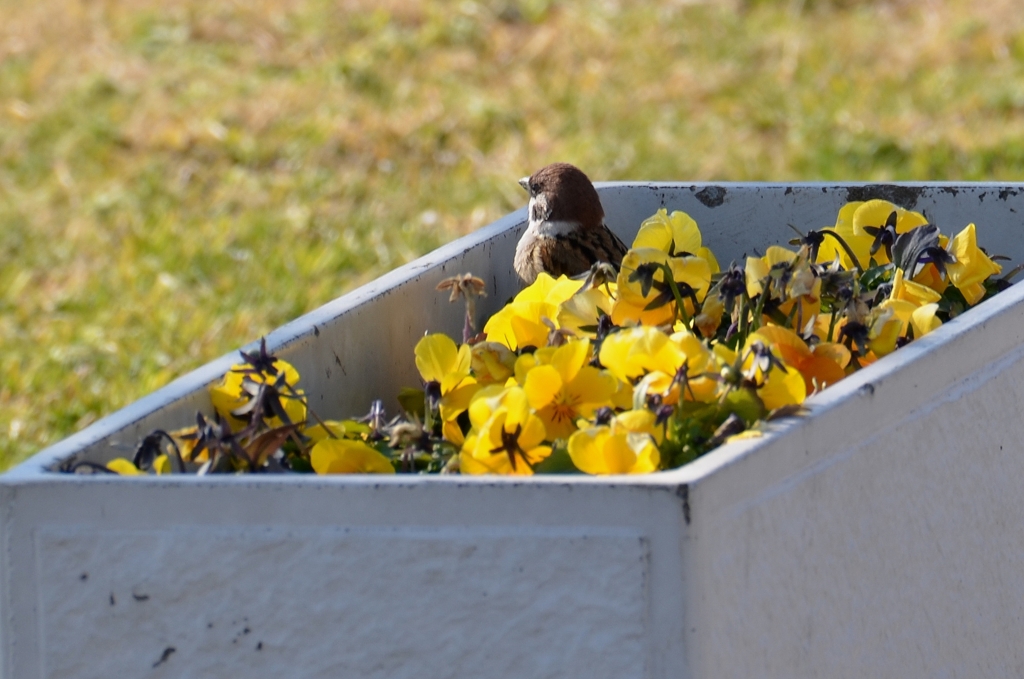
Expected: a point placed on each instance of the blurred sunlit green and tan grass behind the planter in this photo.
(178, 179)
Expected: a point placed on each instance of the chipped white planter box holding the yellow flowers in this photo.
(881, 536)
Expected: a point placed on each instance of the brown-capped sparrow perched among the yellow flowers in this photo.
(567, 232)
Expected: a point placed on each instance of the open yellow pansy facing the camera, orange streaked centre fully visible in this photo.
(567, 389)
